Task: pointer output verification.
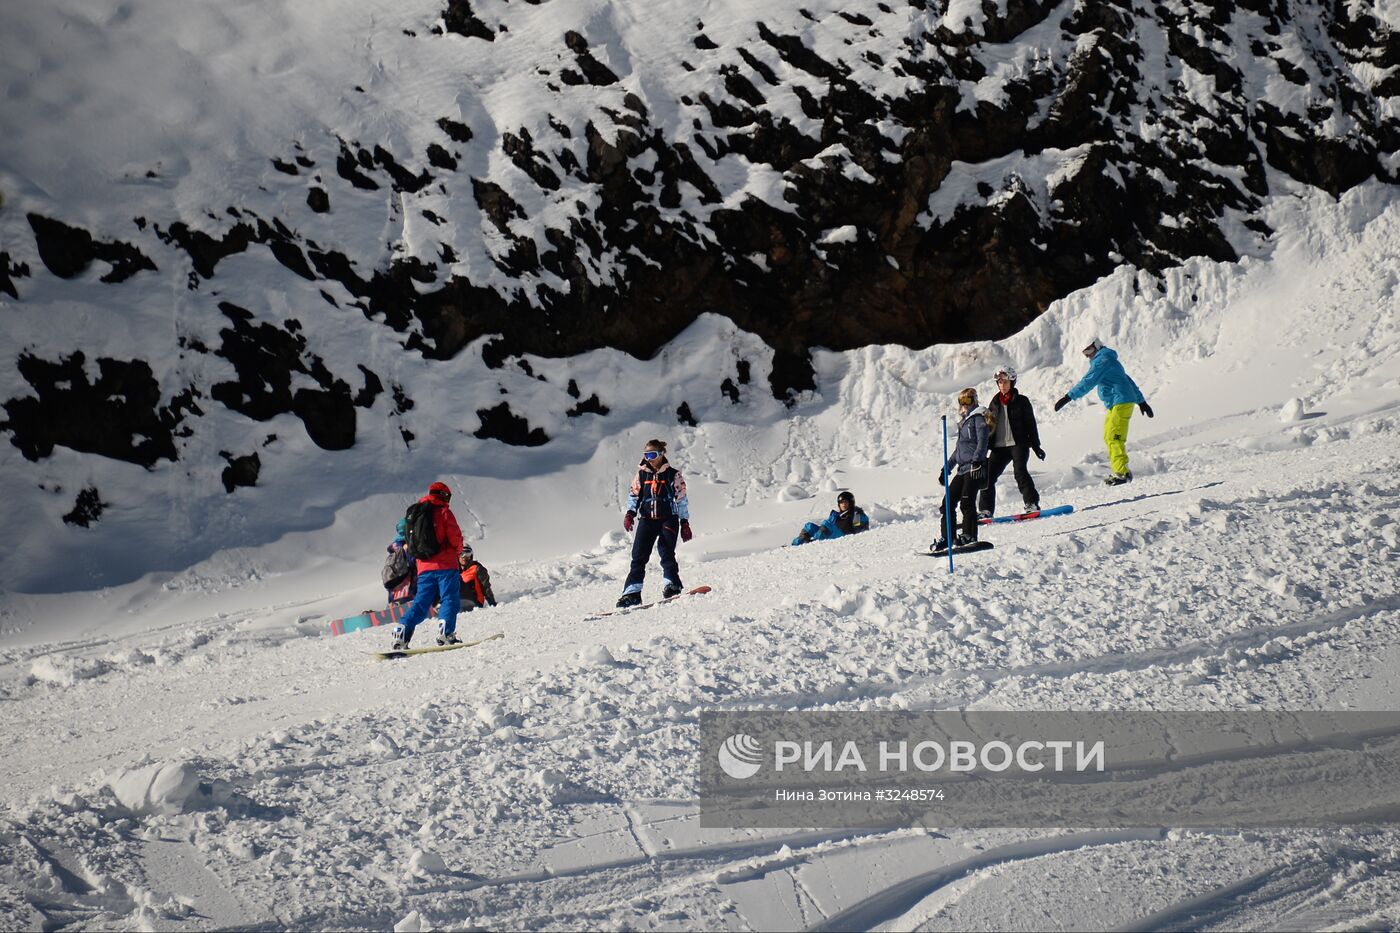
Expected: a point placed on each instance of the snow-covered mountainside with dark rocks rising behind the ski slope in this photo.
(325, 250)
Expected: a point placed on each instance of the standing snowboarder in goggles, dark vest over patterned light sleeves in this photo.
(659, 509)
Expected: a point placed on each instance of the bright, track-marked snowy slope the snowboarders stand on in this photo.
(194, 752)
